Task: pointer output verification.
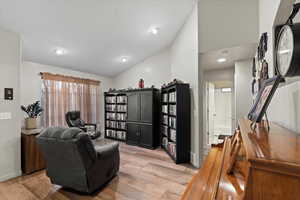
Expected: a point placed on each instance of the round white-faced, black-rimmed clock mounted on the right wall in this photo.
(287, 47)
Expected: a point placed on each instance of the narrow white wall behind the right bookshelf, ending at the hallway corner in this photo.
(184, 66)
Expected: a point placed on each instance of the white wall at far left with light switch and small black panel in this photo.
(10, 137)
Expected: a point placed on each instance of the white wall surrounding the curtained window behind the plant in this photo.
(31, 83)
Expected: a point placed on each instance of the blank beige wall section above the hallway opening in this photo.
(229, 23)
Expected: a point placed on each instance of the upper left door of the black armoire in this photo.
(133, 107)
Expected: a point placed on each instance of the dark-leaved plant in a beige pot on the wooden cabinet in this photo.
(33, 111)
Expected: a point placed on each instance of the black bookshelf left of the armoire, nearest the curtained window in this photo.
(115, 115)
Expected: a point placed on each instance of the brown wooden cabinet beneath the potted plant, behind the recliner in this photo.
(31, 157)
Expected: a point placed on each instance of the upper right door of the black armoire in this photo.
(146, 107)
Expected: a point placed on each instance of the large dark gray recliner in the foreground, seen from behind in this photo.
(74, 162)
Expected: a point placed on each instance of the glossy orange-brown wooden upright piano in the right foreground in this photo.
(250, 165)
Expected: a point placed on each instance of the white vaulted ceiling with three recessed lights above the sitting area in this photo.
(94, 34)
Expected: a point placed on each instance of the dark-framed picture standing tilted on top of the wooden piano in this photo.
(264, 98)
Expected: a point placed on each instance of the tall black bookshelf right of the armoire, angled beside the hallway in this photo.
(176, 121)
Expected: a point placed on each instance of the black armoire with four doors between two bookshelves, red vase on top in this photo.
(143, 118)
